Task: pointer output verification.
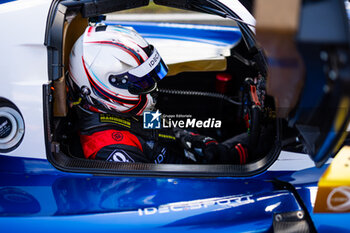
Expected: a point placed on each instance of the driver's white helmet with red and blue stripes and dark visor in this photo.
(115, 69)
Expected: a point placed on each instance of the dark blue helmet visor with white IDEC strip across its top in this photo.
(143, 79)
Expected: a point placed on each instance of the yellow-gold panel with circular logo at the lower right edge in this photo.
(333, 195)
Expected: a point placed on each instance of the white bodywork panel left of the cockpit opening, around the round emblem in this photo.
(23, 68)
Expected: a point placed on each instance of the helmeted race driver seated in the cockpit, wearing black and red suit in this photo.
(113, 77)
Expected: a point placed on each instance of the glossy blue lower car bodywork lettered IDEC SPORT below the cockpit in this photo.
(36, 197)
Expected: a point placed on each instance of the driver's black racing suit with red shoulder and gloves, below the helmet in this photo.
(121, 139)
